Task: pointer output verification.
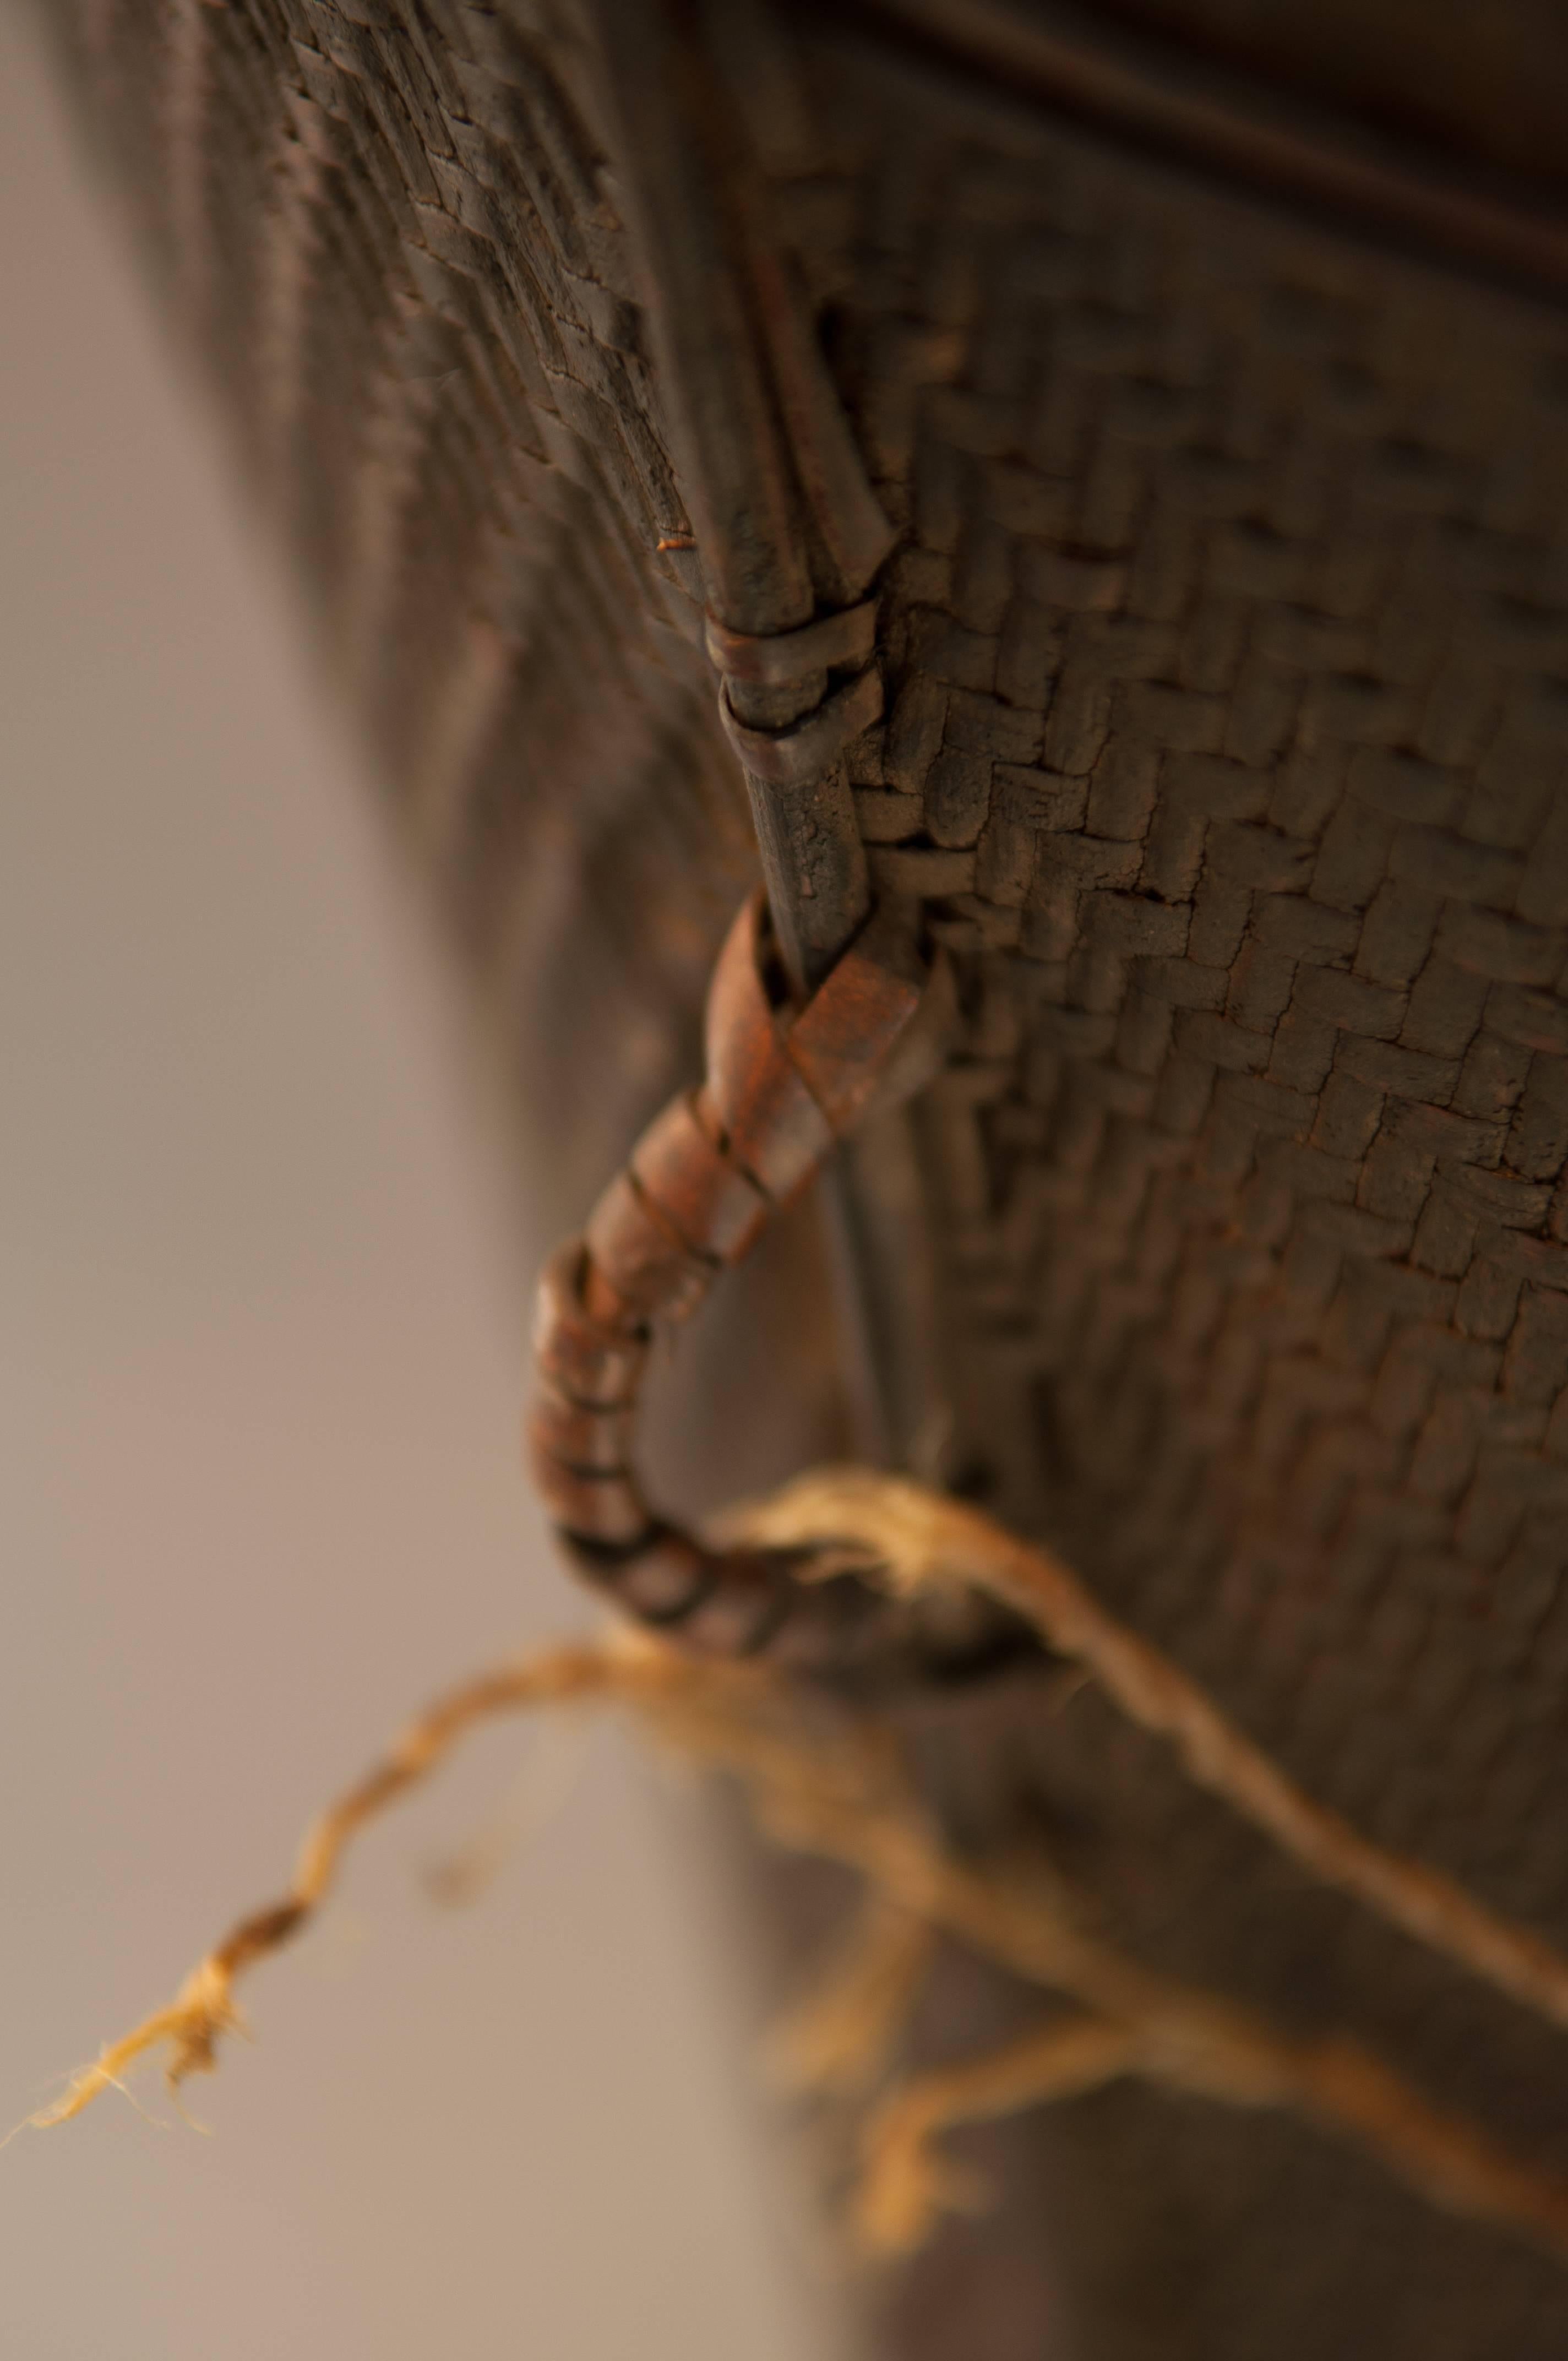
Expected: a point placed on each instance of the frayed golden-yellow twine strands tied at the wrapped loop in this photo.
(839, 1788)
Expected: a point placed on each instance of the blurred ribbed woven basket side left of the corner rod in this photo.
(391, 235)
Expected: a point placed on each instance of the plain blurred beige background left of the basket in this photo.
(261, 1361)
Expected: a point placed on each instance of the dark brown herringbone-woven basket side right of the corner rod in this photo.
(1229, 728)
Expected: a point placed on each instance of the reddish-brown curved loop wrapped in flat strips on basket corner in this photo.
(703, 1184)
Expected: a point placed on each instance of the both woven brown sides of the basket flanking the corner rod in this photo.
(1227, 714)
